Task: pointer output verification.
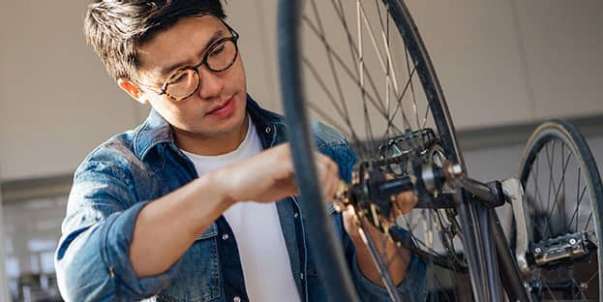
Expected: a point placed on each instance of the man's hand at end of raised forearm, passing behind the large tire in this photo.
(269, 176)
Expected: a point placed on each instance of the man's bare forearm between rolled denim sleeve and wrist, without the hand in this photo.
(168, 226)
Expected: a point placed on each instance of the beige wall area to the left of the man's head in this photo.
(56, 101)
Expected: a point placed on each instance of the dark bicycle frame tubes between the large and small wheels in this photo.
(476, 198)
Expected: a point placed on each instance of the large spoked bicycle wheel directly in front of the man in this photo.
(361, 67)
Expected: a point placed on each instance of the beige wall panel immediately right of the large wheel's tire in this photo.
(475, 51)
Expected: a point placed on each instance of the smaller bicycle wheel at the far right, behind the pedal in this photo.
(563, 200)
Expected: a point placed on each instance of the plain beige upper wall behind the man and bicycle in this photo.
(499, 62)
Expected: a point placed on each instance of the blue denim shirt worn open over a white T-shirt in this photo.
(131, 169)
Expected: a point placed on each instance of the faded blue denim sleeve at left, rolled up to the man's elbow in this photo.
(92, 258)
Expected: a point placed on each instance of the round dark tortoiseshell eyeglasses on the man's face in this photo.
(184, 82)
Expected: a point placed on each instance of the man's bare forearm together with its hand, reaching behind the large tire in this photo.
(266, 177)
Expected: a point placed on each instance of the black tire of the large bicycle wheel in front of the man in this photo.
(336, 277)
